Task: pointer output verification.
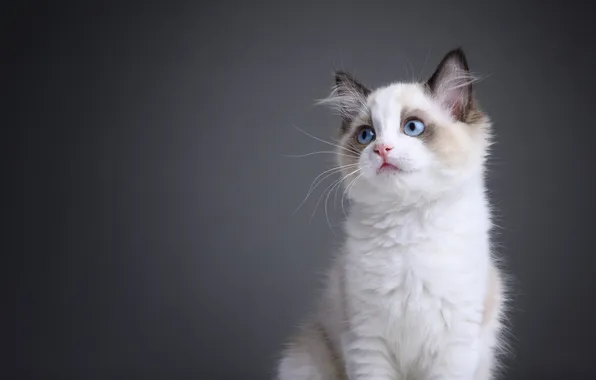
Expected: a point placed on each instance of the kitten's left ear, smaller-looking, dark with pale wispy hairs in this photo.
(349, 96)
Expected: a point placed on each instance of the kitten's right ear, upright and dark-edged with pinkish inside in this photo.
(451, 84)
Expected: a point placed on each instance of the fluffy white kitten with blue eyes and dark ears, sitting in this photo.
(415, 292)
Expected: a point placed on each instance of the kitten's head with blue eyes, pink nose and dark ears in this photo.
(409, 142)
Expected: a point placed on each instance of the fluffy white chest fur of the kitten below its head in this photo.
(414, 276)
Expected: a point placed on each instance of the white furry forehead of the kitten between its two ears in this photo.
(399, 96)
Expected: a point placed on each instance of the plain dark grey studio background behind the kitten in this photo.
(152, 232)
